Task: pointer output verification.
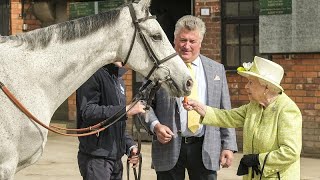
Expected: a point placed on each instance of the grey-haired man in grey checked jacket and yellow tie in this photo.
(176, 148)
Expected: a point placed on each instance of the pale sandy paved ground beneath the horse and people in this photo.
(59, 162)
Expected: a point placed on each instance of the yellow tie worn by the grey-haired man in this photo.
(193, 116)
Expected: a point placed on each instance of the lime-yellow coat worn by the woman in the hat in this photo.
(276, 130)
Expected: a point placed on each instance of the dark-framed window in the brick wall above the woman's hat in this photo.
(240, 32)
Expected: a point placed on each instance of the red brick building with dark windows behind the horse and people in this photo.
(235, 34)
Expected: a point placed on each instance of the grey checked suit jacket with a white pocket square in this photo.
(165, 156)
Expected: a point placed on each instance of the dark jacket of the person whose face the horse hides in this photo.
(97, 99)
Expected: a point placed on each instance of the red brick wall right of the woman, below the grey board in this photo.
(302, 83)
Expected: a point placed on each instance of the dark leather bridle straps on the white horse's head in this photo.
(147, 46)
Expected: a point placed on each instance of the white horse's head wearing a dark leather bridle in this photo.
(160, 61)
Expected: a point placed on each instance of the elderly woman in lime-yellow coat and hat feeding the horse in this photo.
(271, 123)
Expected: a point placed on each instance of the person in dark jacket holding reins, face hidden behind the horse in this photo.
(99, 98)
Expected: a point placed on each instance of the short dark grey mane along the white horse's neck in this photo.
(66, 31)
